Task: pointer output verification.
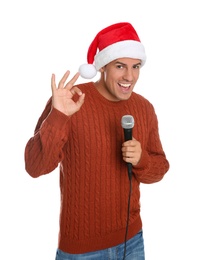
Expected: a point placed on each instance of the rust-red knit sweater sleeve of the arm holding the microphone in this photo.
(153, 163)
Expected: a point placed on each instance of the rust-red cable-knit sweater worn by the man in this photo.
(94, 181)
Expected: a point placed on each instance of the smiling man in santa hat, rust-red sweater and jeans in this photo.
(80, 130)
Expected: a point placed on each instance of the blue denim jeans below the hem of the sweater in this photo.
(134, 251)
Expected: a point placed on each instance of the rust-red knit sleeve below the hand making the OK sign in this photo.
(43, 151)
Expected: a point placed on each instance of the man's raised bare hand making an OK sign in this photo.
(62, 96)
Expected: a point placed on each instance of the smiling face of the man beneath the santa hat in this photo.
(119, 78)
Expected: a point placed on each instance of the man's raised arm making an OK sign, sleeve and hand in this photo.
(43, 151)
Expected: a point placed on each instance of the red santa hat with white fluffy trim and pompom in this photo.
(119, 40)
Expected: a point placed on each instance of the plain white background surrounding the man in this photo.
(38, 38)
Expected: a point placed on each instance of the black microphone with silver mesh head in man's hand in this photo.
(127, 123)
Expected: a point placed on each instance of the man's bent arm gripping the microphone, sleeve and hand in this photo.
(149, 161)
